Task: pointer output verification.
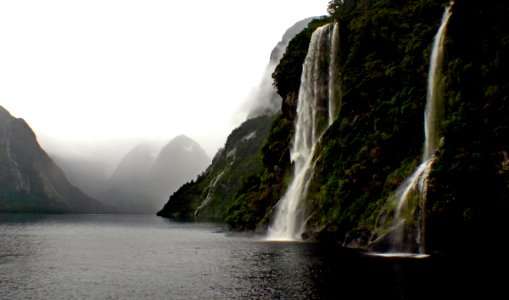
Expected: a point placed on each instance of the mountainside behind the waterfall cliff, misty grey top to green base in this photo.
(240, 161)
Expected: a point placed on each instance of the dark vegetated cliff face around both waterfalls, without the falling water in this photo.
(377, 138)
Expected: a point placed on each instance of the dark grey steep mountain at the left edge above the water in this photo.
(29, 179)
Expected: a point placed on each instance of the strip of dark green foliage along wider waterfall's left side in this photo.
(254, 201)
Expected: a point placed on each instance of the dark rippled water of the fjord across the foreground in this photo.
(146, 257)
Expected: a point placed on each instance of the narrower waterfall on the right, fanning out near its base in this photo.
(417, 182)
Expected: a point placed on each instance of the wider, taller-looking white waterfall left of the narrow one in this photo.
(316, 109)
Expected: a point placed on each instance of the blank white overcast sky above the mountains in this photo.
(98, 71)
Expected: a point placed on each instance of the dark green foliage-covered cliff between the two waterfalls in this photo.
(377, 139)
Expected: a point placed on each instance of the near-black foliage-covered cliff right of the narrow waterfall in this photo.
(469, 192)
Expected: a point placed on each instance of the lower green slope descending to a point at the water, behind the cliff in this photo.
(239, 159)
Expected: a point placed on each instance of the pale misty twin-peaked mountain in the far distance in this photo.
(143, 180)
